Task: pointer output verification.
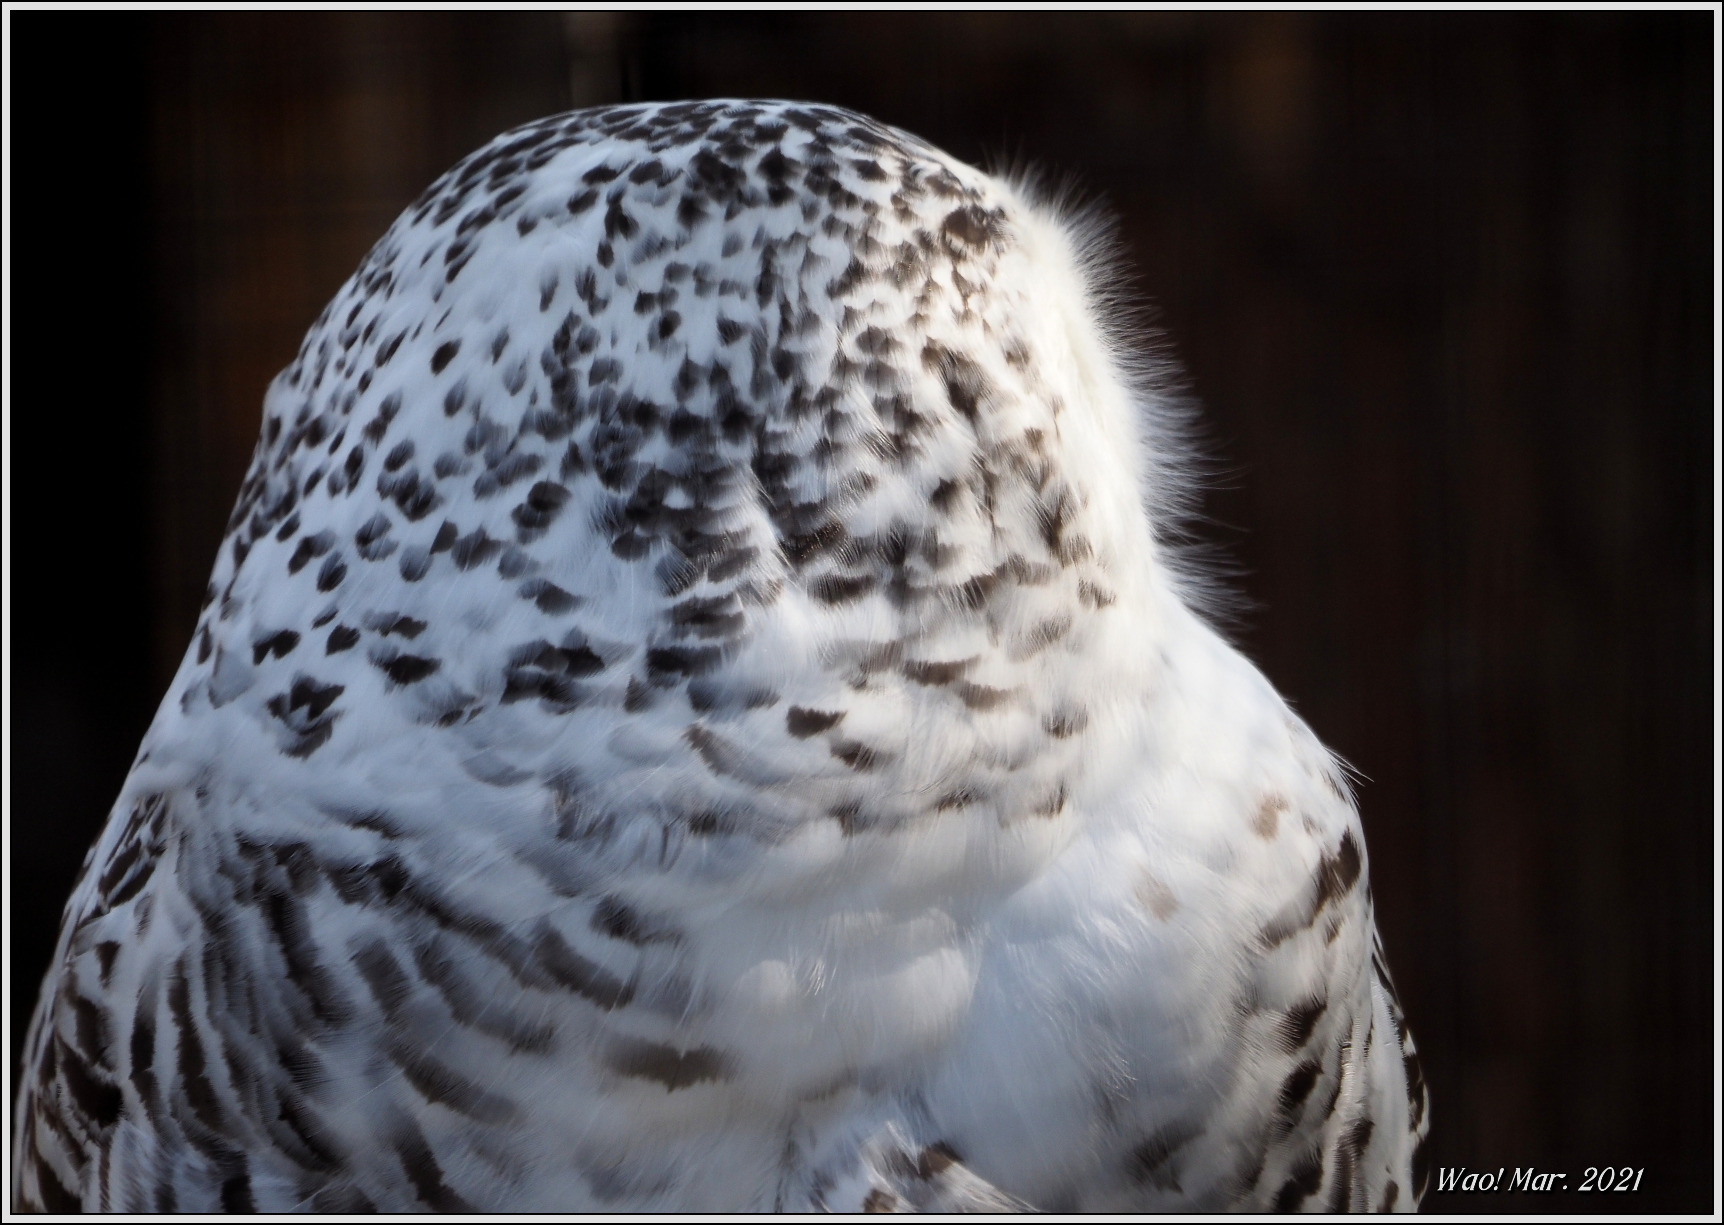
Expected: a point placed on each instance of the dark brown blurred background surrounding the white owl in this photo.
(1440, 282)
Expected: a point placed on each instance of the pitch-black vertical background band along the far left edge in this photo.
(84, 354)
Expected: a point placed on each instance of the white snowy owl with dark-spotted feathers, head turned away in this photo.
(696, 711)
